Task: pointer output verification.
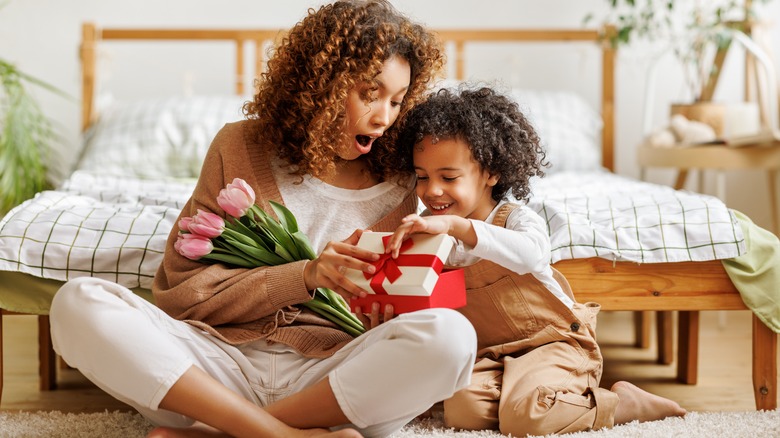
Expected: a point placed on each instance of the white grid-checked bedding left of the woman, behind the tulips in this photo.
(102, 226)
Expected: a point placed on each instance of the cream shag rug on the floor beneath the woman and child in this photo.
(127, 425)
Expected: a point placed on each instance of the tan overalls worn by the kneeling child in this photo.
(538, 364)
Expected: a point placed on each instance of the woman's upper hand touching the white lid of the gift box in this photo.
(327, 270)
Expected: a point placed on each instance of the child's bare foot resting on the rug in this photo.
(638, 404)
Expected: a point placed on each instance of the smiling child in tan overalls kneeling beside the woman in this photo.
(538, 366)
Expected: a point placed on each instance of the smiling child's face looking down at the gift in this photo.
(449, 181)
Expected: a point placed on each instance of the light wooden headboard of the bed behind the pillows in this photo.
(258, 39)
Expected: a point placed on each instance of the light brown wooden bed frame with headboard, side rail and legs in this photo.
(688, 287)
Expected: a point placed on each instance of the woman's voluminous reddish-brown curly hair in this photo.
(300, 103)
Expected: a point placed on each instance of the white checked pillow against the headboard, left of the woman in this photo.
(157, 138)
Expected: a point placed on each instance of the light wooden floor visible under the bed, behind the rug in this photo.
(724, 368)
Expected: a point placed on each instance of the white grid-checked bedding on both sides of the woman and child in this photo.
(116, 228)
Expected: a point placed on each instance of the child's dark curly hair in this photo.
(501, 139)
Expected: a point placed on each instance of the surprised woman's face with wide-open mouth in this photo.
(367, 121)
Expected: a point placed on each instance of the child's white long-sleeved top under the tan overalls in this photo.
(523, 246)
